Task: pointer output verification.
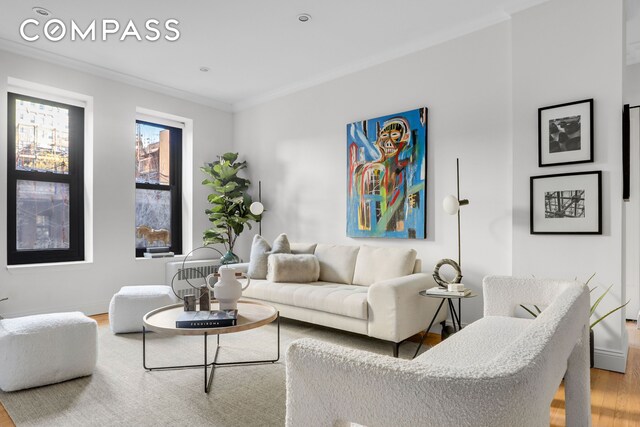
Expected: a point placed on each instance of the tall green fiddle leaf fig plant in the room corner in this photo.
(229, 213)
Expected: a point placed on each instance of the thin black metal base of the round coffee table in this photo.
(208, 375)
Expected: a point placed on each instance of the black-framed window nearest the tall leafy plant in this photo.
(158, 187)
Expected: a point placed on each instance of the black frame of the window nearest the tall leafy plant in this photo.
(175, 183)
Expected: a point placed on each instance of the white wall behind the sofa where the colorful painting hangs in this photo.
(297, 146)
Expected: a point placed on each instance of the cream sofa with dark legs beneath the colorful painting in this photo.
(363, 289)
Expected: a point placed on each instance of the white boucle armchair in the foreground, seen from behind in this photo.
(498, 371)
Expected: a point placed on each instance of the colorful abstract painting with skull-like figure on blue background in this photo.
(386, 169)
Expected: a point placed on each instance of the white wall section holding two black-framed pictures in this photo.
(568, 50)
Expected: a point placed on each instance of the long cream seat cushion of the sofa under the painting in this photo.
(336, 298)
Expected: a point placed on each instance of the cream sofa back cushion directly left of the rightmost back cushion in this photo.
(337, 262)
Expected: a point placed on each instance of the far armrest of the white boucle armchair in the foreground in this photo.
(503, 294)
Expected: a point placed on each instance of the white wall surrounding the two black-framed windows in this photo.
(89, 287)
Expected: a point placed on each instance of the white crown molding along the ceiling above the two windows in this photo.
(43, 55)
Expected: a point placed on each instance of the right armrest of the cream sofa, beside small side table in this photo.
(397, 311)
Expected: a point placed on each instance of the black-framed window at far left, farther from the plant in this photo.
(45, 181)
